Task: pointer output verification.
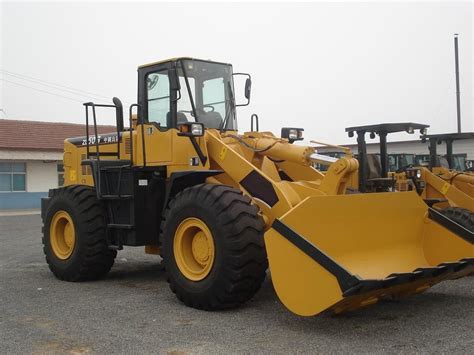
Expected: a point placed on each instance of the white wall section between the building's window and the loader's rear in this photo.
(41, 176)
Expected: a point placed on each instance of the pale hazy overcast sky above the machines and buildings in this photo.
(320, 66)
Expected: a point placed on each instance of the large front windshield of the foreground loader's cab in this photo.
(206, 94)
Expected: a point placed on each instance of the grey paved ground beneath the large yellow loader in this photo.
(133, 311)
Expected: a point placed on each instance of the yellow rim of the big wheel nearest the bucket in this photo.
(193, 249)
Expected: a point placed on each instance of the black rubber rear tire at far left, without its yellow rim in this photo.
(91, 259)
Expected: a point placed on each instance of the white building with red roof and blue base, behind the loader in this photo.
(31, 155)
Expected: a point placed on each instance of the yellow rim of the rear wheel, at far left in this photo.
(62, 235)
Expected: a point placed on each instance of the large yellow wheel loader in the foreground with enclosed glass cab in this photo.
(221, 207)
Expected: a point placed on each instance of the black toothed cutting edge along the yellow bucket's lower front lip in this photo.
(441, 272)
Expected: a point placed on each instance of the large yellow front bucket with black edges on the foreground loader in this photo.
(343, 252)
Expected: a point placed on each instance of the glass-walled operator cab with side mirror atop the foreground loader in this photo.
(183, 90)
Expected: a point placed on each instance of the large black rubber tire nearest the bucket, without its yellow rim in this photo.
(240, 259)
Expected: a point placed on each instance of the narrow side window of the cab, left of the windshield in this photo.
(158, 98)
